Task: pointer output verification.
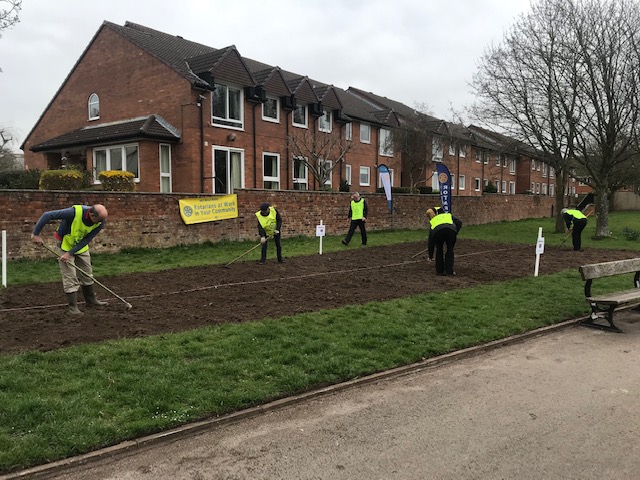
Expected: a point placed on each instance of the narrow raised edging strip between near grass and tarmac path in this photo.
(131, 446)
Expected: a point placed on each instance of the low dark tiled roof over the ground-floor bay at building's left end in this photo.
(152, 127)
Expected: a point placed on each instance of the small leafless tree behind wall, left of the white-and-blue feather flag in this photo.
(321, 152)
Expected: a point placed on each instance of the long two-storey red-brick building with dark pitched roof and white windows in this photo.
(185, 117)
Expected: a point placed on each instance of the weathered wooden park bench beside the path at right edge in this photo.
(609, 302)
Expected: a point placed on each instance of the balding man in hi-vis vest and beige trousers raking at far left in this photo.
(79, 225)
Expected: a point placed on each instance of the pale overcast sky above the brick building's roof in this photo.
(418, 52)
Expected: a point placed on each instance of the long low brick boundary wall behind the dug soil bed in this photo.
(153, 219)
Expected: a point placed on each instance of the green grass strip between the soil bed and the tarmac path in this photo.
(62, 403)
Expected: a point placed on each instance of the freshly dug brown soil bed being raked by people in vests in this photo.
(34, 317)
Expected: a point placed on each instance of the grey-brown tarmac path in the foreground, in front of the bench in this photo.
(563, 405)
